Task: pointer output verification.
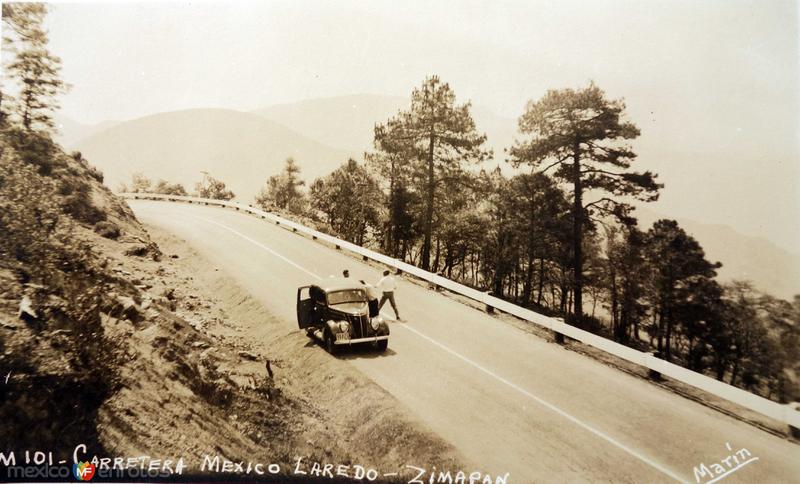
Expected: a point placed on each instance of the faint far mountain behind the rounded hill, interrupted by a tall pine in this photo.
(348, 121)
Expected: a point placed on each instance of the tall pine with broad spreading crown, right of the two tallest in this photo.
(581, 135)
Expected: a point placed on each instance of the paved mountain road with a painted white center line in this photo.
(508, 400)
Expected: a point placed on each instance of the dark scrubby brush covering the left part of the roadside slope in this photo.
(83, 339)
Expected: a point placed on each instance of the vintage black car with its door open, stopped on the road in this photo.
(336, 311)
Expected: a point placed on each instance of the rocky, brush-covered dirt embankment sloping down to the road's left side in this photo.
(137, 349)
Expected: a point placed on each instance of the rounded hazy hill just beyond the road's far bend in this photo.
(242, 149)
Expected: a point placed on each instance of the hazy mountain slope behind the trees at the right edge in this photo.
(770, 268)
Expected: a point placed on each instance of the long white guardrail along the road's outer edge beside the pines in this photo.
(782, 413)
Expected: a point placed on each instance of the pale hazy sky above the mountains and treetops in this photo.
(712, 84)
